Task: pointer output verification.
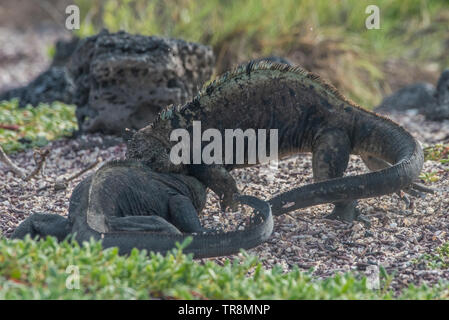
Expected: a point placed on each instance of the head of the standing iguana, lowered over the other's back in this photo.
(153, 149)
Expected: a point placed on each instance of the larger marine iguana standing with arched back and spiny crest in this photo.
(311, 116)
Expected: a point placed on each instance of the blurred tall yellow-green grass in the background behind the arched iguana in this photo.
(329, 38)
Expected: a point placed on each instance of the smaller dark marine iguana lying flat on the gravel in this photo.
(127, 205)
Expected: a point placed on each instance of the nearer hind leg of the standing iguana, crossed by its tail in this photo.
(330, 158)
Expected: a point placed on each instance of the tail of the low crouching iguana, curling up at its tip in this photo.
(202, 245)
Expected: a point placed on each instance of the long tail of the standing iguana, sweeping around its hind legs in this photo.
(379, 137)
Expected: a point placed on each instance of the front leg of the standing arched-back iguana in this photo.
(219, 180)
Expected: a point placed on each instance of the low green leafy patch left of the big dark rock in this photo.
(22, 128)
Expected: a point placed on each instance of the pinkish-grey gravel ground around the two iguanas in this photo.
(303, 238)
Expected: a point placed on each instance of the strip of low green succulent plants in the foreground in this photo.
(39, 270)
